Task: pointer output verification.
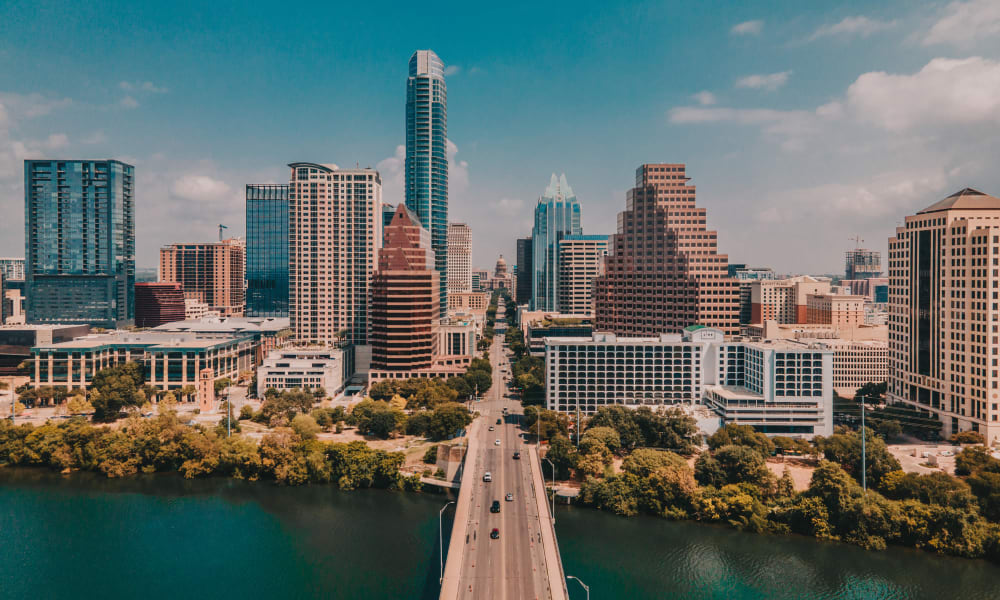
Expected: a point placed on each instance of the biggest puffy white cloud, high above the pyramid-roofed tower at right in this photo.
(946, 92)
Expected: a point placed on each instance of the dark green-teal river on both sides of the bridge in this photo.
(160, 536)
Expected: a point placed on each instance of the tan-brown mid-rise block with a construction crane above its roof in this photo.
(211, 273)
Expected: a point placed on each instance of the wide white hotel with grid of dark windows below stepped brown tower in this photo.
(780, 388)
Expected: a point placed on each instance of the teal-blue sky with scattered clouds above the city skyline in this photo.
(802, 124)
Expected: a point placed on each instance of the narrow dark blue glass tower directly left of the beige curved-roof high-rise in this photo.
(267, 250)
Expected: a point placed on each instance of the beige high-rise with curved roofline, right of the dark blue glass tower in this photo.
(334, 233)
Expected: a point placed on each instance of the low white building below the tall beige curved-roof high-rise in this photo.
(303, 368)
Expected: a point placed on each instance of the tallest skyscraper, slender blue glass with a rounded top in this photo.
(427, 155)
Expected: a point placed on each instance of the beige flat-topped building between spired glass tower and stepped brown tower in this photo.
(581, 261)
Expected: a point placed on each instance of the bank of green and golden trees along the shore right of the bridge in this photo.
(729, 482)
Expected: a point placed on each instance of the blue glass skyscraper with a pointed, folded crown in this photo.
(557, 215)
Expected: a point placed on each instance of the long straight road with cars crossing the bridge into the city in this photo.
(513, 566)
